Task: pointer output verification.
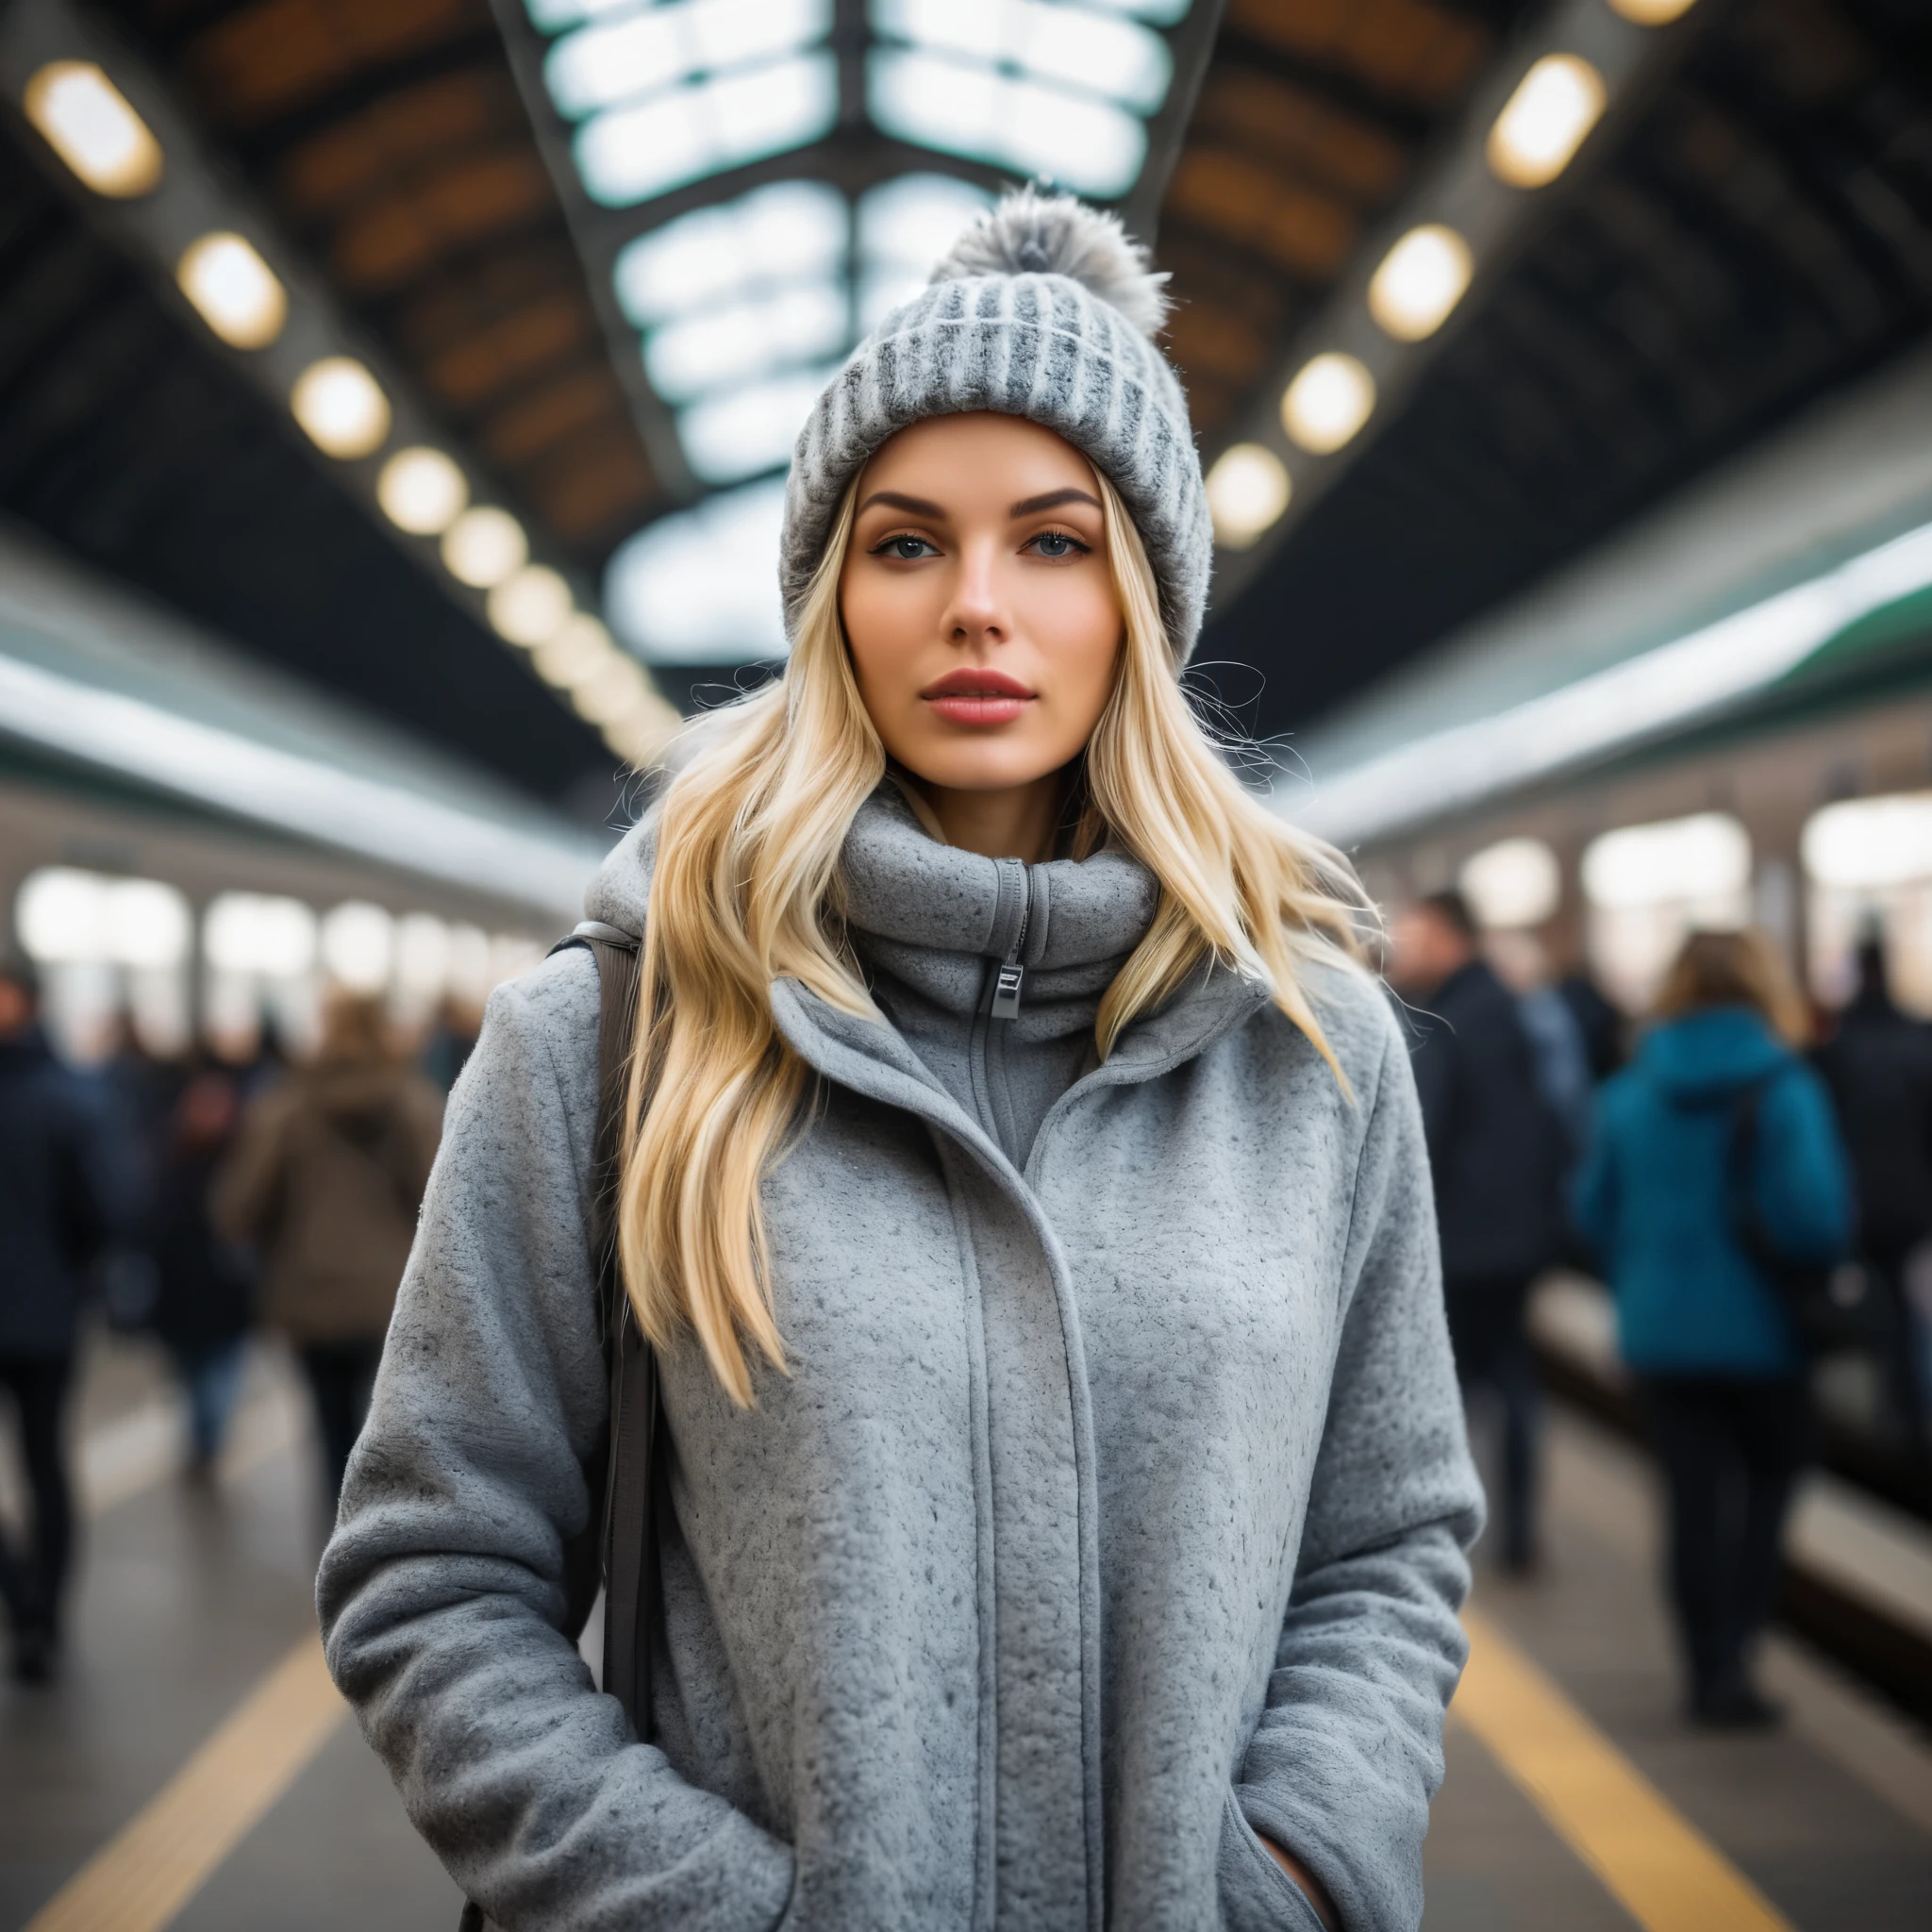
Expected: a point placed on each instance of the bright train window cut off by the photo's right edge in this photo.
(1869, 868)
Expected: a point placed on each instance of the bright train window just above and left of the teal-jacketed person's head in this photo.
(1649, 886)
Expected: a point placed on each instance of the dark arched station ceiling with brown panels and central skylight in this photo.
(488, 204)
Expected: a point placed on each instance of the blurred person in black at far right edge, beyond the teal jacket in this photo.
(1879, 1067)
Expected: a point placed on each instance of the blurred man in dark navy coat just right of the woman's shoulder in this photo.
(1498, 1156)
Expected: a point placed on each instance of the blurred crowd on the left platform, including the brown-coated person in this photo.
(200, 1203)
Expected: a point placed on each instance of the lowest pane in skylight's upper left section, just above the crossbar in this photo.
(629, 156)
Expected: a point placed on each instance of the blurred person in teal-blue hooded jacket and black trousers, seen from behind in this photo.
(1701, 1324)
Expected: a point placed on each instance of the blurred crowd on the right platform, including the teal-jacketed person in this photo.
(1753, 1181)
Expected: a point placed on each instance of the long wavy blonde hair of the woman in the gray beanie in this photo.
(747, 892)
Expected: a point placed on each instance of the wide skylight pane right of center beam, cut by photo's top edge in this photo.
(1073, 45)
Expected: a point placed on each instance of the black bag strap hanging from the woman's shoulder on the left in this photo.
(623, 1512)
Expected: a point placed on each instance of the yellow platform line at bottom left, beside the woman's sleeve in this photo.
(144, 1877)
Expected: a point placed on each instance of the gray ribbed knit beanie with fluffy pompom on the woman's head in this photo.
(1044, 310)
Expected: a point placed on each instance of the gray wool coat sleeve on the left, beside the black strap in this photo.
(443, 1589)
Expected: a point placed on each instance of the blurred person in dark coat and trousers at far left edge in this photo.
(55, 1218)
